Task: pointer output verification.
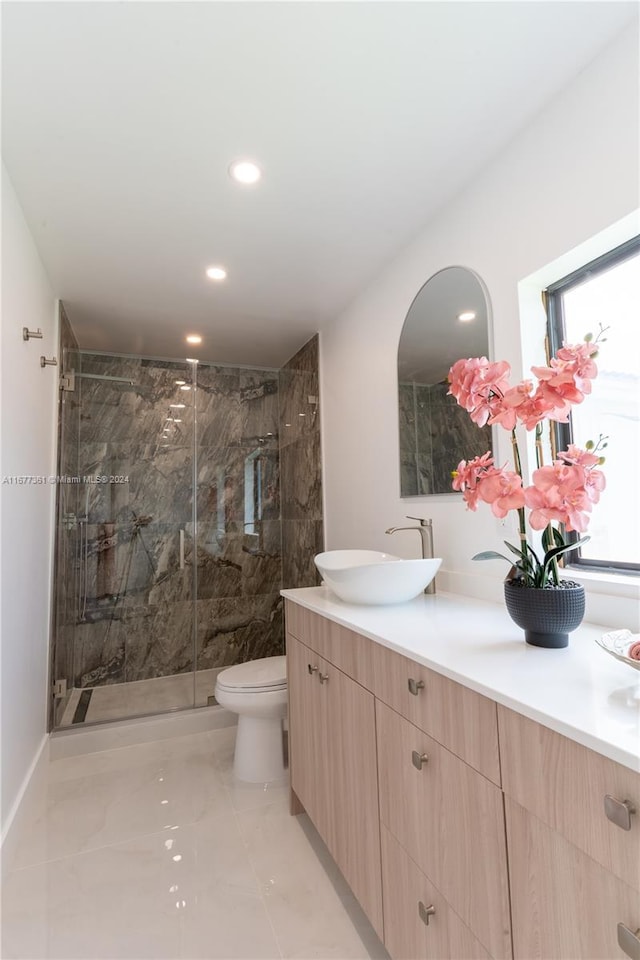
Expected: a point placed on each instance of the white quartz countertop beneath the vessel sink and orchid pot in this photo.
(579, 691)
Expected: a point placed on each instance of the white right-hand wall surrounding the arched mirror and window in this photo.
(569, 175)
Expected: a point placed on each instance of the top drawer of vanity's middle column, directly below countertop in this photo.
(460, 719)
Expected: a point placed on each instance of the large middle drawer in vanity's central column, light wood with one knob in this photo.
(450, 819)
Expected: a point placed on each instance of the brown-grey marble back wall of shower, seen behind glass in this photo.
(138, 618)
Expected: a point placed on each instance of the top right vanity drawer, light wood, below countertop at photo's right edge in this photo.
(565, 785)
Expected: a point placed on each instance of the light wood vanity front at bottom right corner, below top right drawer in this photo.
(564, 904)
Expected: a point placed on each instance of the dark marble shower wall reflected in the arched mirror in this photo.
(435, 434)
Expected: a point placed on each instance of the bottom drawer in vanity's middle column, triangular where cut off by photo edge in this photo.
(409, 900)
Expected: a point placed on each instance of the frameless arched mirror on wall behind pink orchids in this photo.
(448, 319)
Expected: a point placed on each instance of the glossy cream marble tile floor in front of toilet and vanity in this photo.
(156, 851)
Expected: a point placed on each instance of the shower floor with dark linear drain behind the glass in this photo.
(117, 701)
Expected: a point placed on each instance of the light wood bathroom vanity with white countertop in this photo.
(481, 797)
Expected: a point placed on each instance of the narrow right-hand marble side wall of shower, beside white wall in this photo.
(301, 467)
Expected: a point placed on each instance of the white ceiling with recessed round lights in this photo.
(120, 121)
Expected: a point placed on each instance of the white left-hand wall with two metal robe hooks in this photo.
(27, 447)
